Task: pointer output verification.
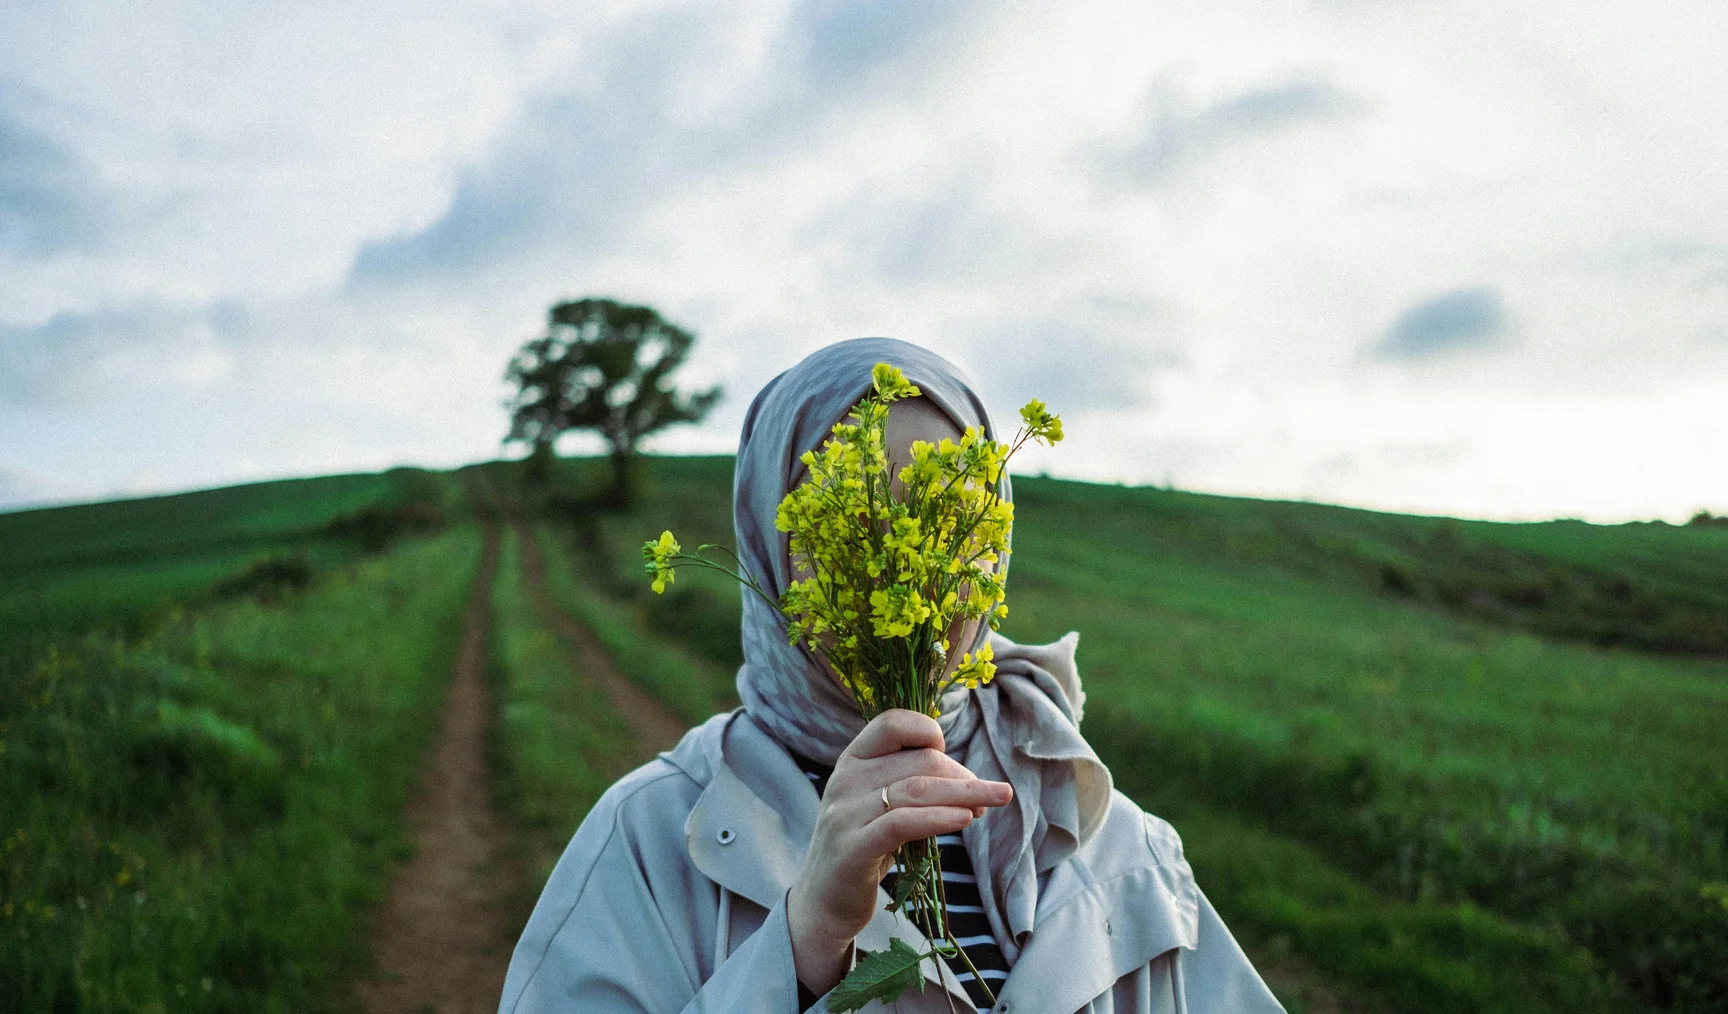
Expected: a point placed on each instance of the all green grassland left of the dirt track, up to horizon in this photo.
(212, 713)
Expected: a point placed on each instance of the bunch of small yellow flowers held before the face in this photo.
(893, 566)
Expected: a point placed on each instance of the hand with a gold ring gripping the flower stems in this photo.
(854, 842)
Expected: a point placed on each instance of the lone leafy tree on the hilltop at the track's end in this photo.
(606, 367)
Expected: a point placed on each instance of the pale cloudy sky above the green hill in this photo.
(1445, 258)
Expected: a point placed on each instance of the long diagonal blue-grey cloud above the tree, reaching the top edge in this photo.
(583, 165)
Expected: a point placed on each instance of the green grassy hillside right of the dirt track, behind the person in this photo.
(1466, 766)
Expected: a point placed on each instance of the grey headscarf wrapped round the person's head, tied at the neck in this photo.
(1022, 730)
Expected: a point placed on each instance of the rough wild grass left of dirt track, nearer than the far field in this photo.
(200, 821)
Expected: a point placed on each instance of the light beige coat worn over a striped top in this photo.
(673, 899)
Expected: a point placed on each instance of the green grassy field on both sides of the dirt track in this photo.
(1420, 764)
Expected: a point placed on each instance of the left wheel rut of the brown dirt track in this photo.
(445, 935)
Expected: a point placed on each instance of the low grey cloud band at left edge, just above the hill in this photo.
(82, 358)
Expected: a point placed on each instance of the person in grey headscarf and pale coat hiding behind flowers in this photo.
(744, 870)
